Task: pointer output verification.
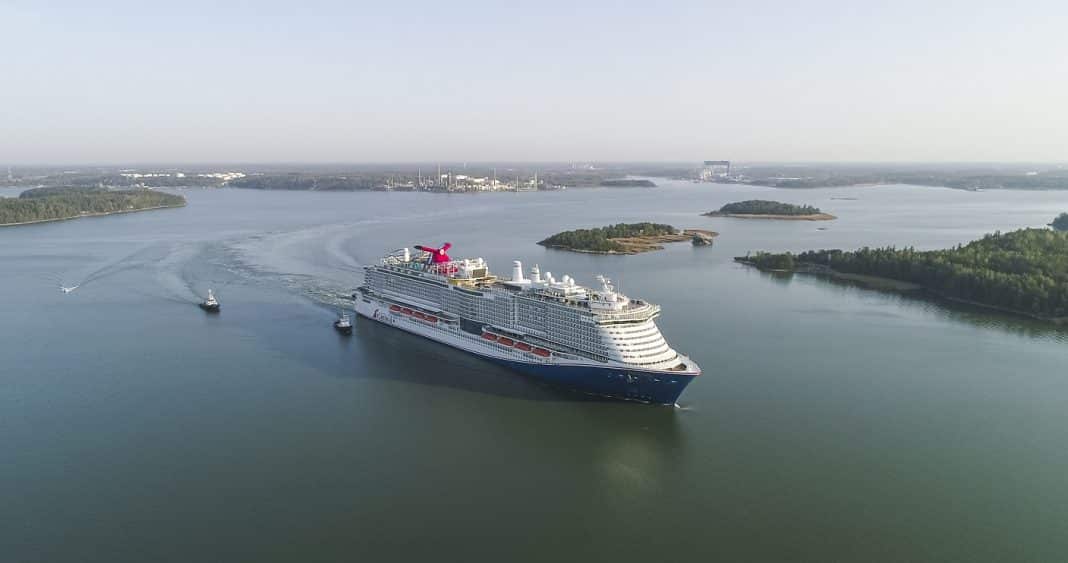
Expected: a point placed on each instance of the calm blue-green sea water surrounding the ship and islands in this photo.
(833, 424)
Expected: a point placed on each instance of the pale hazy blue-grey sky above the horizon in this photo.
(356, 82)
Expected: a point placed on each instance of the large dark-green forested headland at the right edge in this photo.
(1024, 272)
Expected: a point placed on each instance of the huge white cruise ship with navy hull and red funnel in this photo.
(596, 341)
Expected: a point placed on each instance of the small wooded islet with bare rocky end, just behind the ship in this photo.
(626, 239)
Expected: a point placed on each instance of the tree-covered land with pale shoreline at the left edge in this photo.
(59, 204)
